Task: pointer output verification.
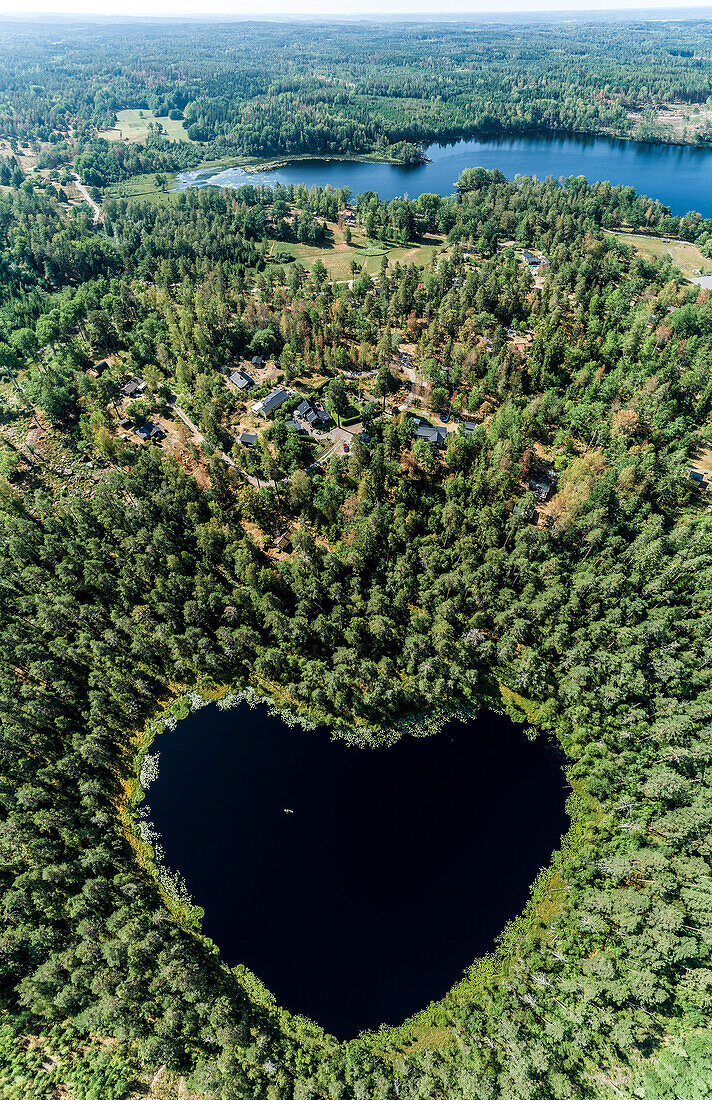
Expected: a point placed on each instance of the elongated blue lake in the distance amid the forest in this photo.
(680, 177)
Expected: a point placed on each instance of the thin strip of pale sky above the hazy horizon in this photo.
(335, 9)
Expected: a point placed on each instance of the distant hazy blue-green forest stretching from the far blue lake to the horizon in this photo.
(264, 91)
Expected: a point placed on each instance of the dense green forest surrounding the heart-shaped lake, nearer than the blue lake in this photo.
(420, 580)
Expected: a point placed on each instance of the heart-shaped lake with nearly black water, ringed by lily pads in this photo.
(397, 870)
